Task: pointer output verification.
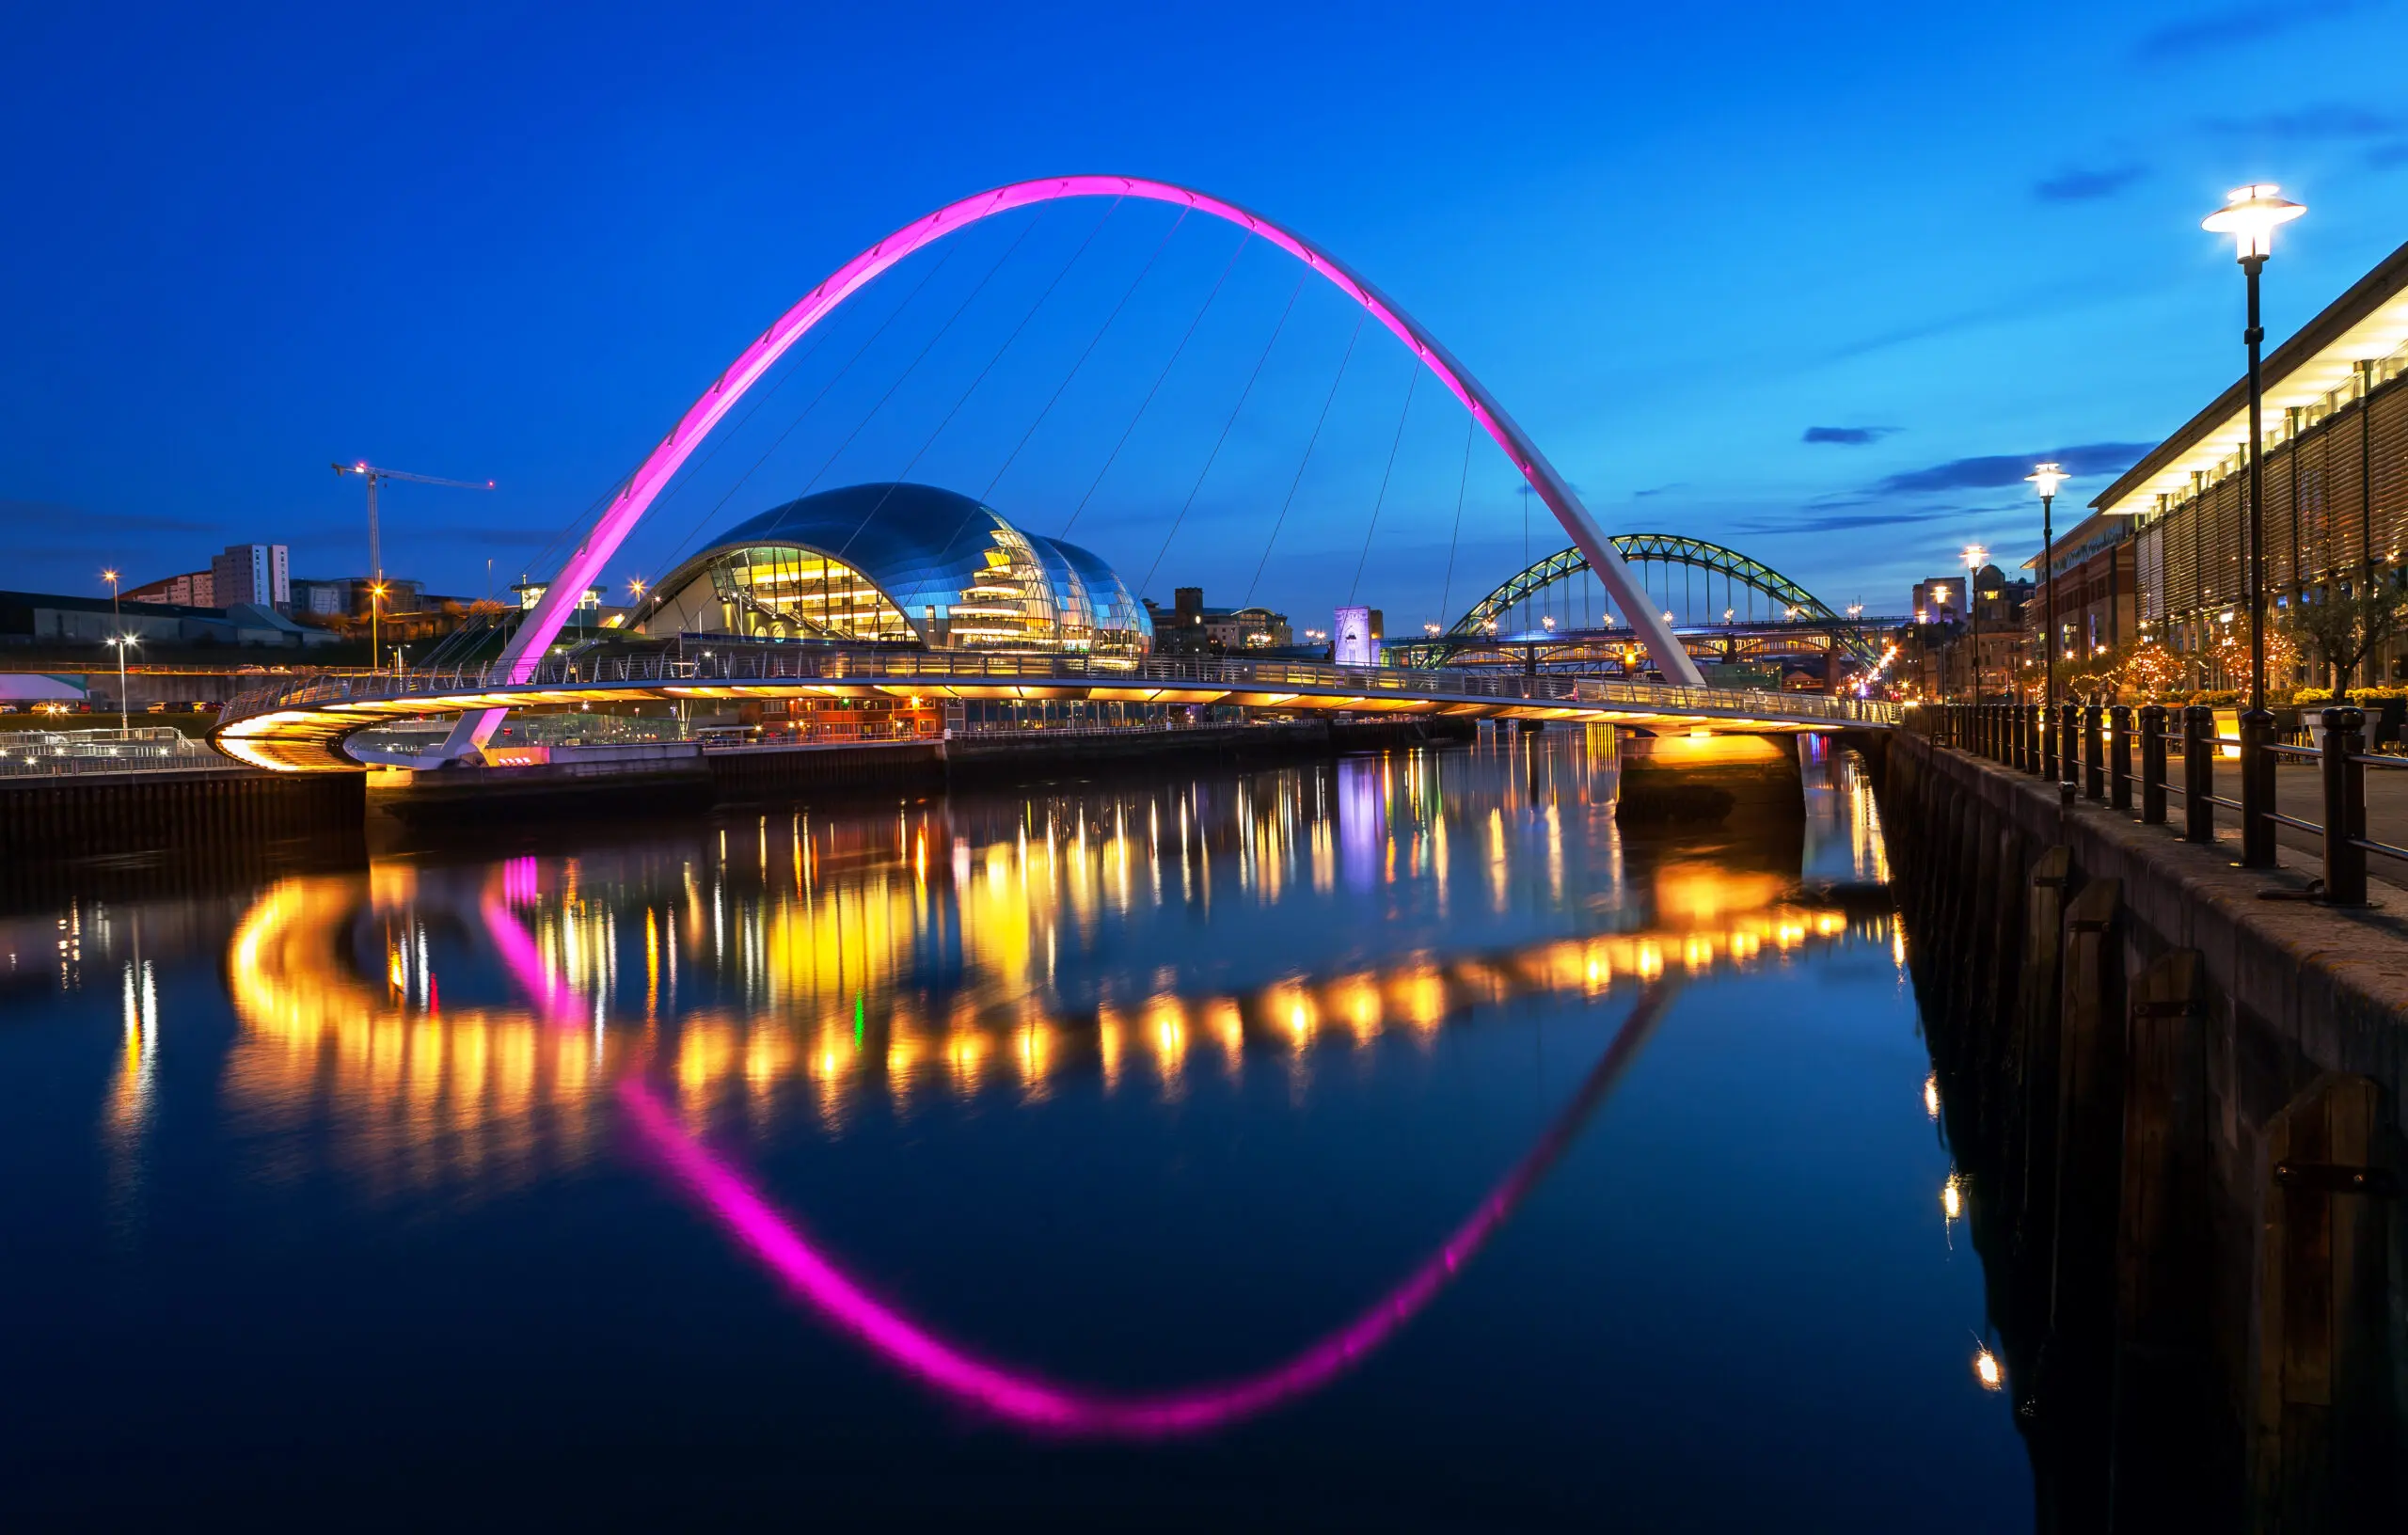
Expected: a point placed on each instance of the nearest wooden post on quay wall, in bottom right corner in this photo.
(2320, 1454)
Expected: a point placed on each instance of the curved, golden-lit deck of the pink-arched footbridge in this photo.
(300, 725)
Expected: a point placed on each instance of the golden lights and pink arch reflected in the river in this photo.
(459, 1024)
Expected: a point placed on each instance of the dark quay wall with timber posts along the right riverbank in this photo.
(2176, 1120)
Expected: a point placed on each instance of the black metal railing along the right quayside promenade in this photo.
(2087, 749)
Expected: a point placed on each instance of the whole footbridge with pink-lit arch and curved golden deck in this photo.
(302, 725)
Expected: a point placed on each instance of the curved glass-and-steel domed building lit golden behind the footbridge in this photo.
(899, 564)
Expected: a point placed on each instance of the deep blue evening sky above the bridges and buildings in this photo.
(1672, 239)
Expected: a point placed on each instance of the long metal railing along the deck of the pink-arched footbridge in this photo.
(447, 687)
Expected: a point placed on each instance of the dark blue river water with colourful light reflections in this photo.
(1367, 1144)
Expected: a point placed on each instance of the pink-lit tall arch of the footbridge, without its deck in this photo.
(654, 475)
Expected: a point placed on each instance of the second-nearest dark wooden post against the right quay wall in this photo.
(2168, 1404)
